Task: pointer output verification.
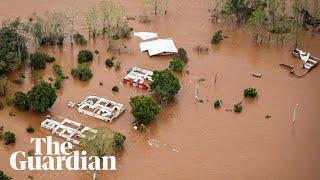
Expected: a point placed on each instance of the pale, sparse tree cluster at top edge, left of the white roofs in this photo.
(109, 18)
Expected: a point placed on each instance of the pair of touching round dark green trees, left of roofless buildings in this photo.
(40, 98)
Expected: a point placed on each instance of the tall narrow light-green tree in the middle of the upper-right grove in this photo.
(256, 24)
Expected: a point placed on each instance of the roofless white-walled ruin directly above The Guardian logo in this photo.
(72, 131)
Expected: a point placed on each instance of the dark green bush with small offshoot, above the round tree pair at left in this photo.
(38, 60)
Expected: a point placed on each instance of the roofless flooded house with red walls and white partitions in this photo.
(137, 76)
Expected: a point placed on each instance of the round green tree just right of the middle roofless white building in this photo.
(143, 109)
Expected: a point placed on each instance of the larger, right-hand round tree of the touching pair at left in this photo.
(42, 97)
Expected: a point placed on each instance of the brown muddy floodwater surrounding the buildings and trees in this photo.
(189, 140)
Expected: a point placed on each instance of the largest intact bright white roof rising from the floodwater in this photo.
(159, 47)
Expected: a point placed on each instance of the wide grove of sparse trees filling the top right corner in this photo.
(270, 20)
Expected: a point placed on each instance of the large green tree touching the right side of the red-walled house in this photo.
(165, 85)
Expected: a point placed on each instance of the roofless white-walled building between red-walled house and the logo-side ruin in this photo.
(100, 108)
